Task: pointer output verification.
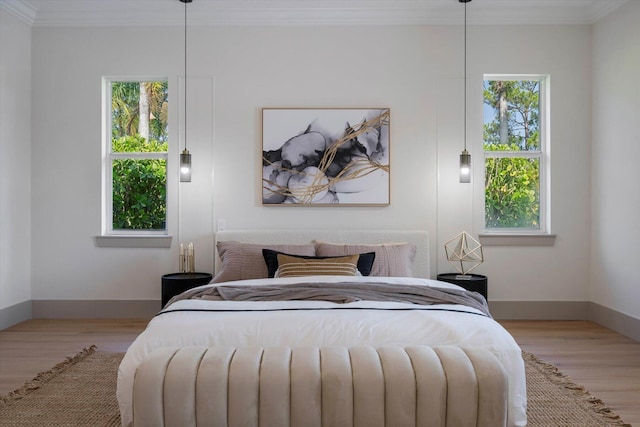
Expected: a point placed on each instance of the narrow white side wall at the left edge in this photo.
(15, 161)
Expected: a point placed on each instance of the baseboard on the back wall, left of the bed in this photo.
(94, 309)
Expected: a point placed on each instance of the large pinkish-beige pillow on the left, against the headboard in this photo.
(243, 261)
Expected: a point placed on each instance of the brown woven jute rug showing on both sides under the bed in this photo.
(81, 391)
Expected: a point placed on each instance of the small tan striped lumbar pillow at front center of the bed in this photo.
(292, 266)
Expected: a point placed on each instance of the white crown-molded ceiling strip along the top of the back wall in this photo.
(307, 12)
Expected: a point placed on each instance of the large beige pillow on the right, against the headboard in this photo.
(392, 259)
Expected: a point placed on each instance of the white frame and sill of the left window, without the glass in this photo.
(124, 238)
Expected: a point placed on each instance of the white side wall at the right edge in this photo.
(616, 197)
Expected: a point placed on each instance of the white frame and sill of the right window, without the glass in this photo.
(521, 236)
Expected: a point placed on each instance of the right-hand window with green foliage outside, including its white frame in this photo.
(515, 154)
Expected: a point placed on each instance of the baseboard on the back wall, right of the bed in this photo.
(540, 310)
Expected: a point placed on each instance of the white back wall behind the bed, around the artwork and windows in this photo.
(416, 71)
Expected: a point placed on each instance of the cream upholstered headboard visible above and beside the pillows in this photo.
(420, 238)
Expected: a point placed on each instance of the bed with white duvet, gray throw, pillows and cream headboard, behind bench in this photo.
(208, 318)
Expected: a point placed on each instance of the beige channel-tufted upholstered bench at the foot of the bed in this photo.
(331, 386)
